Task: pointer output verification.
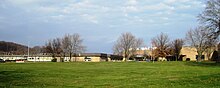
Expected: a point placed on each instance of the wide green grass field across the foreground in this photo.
(109, 74)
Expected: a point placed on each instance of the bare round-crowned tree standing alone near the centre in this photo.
(126, 45)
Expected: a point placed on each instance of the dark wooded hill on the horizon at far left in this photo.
(12, 48)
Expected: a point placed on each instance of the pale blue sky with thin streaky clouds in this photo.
(99, 22)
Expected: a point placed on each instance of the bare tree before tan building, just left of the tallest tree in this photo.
(198, 38)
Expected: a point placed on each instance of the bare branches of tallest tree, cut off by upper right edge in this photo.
(211, 17)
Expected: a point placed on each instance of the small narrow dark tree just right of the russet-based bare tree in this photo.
(176, 47)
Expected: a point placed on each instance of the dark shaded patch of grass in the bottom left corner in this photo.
(9, 77)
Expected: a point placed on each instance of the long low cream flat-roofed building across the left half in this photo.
(84, 57)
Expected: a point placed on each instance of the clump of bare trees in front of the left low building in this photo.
(69, 45)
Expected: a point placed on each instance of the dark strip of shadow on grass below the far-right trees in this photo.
(205, 64)
